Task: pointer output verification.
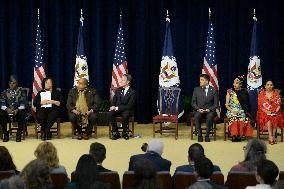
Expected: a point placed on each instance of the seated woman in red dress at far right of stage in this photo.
(269, 111)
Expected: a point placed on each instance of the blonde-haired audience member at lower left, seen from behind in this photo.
(46, 151)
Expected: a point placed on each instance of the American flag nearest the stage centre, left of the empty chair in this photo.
(120, 63)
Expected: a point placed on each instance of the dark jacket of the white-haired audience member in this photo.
(160, 163)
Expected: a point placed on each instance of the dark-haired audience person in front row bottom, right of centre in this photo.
(204, 170)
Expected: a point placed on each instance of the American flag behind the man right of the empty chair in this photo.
(209, 65)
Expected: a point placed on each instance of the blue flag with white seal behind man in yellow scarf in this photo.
(81, 66)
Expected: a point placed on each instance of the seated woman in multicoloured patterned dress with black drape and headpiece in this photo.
(238, 106)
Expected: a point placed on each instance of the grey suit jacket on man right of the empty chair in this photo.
(200, 100)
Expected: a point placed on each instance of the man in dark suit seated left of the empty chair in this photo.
(122, 105)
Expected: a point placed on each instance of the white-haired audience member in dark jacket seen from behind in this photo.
(154, 154)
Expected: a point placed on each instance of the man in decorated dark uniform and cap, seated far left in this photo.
(13, 102)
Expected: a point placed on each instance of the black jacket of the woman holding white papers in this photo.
(55, 95)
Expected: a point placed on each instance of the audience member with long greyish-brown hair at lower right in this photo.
(255, 151)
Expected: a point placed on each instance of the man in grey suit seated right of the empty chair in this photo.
(204, 103)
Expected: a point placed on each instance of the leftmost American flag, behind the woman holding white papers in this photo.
(39, 68)
